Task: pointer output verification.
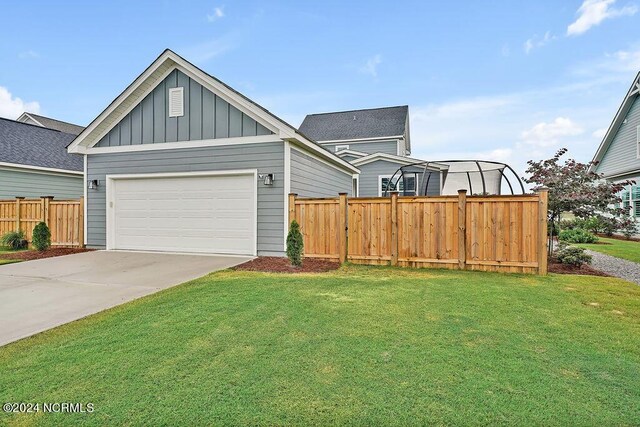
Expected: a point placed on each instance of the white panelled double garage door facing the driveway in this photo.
(209, 214)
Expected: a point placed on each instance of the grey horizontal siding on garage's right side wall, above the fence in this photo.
(313, 178)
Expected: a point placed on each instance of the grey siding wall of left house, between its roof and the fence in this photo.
(34, 184)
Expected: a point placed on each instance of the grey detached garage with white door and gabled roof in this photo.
(181, 162)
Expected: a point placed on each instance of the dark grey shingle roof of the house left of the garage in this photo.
(34, 145)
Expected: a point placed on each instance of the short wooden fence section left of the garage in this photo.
(65, 218)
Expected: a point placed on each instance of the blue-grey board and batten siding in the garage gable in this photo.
(206, 116)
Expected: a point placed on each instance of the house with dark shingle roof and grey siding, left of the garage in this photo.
(34, 162)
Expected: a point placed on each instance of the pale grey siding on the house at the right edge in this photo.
(622, 154)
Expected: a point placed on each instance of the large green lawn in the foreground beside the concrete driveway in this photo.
(363, 346)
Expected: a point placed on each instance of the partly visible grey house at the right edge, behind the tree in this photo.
(618, 157)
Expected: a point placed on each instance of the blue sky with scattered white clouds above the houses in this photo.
(502, 80)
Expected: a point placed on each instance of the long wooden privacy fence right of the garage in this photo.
(490, 233)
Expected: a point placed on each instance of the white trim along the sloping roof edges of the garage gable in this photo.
(282, 129)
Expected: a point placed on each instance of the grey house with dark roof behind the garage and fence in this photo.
(378, 142)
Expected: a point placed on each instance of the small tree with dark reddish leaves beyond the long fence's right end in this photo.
(574, 188)
